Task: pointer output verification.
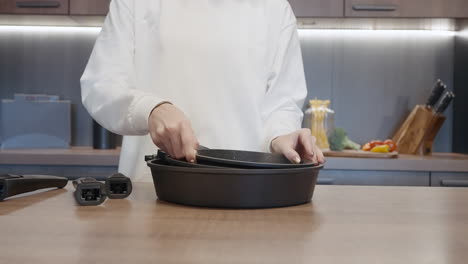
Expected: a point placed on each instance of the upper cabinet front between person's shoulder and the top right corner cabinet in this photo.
(318, 8)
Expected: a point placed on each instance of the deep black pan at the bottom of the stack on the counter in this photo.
(233, 188)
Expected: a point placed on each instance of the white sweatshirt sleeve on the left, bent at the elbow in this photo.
(108, 85)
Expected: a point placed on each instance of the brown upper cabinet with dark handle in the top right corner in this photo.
(407, 8)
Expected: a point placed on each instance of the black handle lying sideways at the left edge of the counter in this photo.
(11, 185)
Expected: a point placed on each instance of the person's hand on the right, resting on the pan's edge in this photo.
(298, 146)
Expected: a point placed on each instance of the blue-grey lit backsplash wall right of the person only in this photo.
(375, 78)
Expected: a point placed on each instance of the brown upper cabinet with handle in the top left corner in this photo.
(41, 7)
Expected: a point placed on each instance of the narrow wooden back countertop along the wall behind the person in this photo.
(86, 156)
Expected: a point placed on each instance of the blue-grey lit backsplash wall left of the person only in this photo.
(48, 60)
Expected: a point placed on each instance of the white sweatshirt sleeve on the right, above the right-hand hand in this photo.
(287, 90)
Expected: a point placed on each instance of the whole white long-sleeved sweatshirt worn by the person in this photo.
(234, 67)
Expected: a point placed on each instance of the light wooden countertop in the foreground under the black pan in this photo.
(343, 224)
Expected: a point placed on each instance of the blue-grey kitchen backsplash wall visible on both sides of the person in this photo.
(373, 78)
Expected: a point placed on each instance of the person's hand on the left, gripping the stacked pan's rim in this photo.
(172, 132)
